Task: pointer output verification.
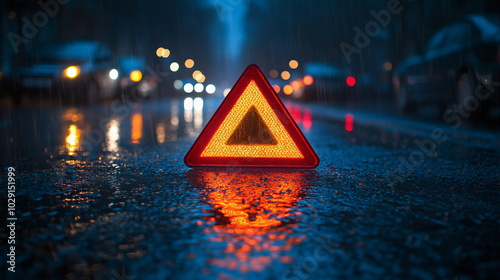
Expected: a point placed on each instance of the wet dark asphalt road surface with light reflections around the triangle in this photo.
(102, 193)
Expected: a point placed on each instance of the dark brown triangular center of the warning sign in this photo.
(252, 131)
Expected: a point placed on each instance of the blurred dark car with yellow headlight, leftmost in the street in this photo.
(71, 71)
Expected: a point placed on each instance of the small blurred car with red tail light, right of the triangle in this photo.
(324, 81)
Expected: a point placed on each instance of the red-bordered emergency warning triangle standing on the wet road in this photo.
(252, 128)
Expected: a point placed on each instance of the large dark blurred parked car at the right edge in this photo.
(460, 62)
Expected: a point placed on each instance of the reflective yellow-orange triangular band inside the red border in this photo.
(252, 97)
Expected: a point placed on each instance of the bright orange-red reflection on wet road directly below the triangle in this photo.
(254, 216)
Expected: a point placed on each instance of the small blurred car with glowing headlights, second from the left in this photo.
(135, 81)
